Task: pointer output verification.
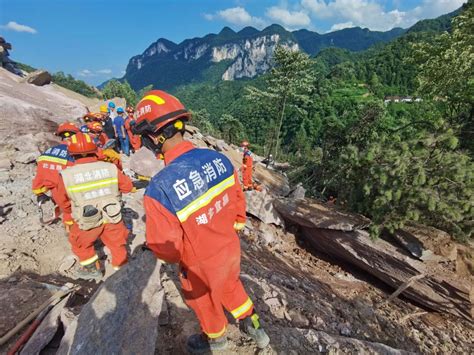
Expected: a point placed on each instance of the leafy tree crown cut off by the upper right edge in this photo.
(446, 72)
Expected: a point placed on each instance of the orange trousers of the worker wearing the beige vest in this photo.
(114, 236)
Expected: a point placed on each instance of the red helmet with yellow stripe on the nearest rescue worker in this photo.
(156, 109)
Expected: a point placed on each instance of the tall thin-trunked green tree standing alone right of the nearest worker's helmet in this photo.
(287, 85)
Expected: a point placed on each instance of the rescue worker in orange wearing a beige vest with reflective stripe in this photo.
(90, 193)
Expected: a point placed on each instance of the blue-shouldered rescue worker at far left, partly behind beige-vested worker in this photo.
(51, 162)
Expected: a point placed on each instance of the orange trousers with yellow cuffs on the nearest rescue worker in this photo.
(213, 285)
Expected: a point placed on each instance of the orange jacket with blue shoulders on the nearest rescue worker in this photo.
(191, 205)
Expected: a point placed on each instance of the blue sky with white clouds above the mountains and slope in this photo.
(94, 39)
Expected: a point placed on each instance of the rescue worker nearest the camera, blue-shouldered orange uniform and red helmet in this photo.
(194, 208)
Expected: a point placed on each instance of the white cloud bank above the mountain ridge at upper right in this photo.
(371, 14)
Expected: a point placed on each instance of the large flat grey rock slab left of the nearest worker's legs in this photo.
(122, 316)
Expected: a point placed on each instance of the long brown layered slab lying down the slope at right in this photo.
(440, 289)
